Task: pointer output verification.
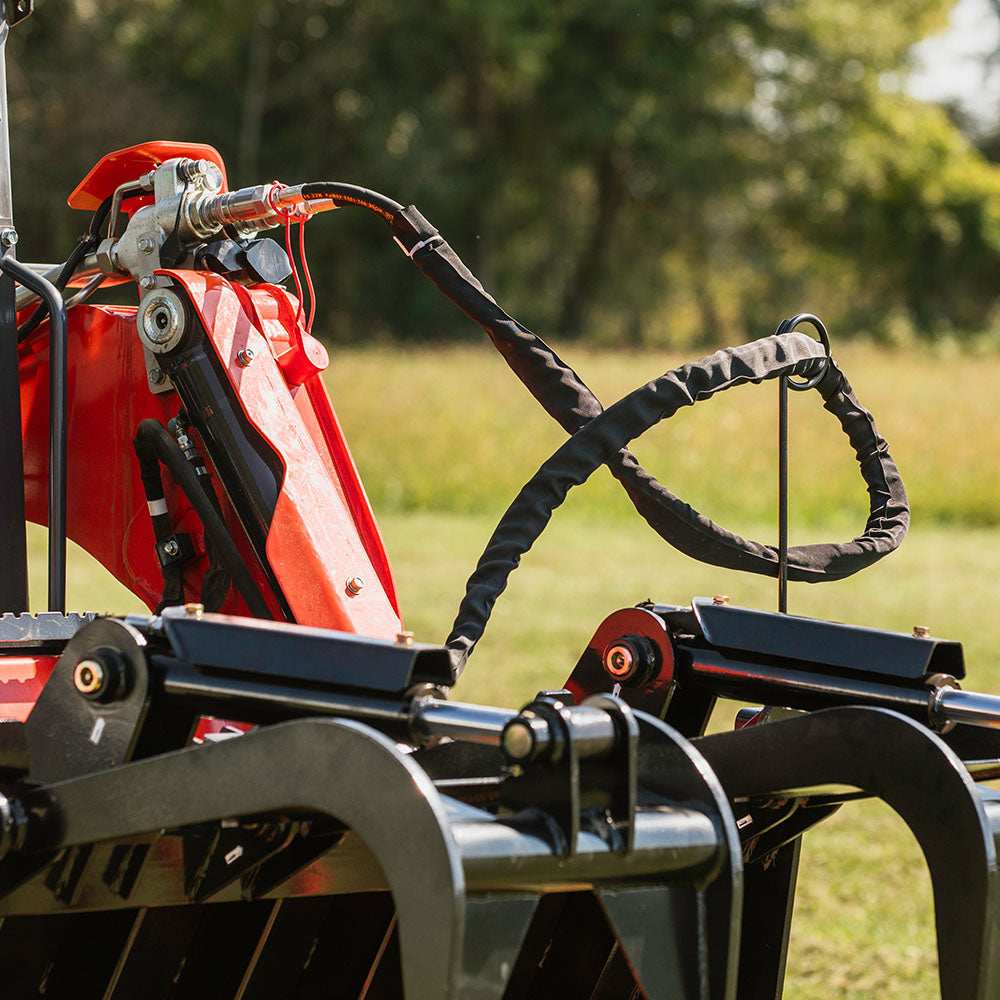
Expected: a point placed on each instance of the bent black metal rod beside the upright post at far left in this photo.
(58, 376)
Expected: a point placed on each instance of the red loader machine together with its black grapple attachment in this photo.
(351, 832)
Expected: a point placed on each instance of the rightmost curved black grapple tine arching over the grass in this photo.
(914, 772)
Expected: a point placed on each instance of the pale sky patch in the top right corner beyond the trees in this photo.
(950, 66)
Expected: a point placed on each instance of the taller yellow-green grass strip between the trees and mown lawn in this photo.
(454, 430)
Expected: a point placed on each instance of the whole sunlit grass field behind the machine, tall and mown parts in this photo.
(445, 438)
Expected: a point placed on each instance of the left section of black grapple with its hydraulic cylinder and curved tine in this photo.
(322, 856)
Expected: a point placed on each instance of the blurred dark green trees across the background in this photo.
(646, 171)
